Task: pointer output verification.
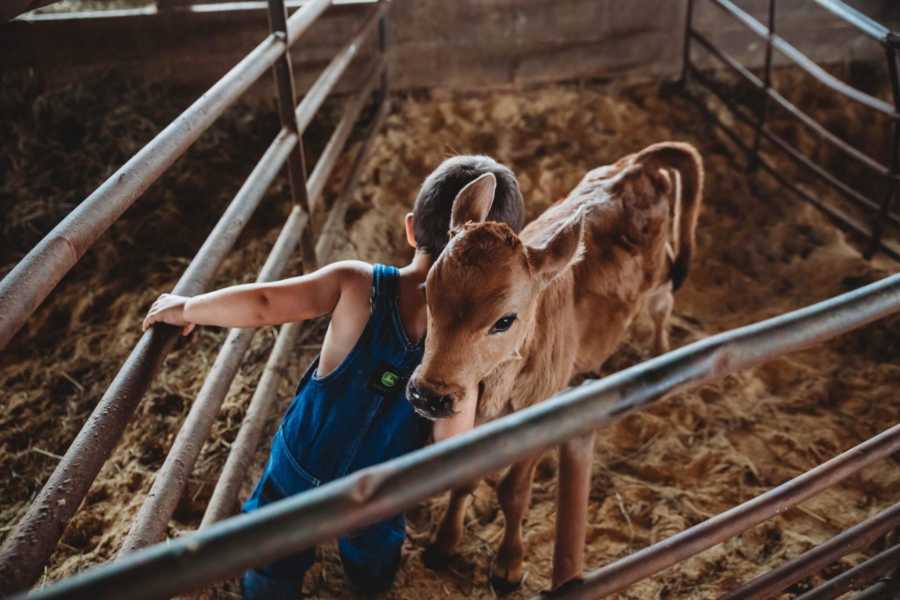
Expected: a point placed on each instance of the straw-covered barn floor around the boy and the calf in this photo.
(761, 253)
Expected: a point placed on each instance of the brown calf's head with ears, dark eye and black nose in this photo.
(482, 295)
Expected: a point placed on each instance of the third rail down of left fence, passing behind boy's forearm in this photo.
(150, 524)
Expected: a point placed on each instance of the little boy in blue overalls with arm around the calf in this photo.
(350, 409)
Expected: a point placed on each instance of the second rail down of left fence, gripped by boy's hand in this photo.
(27, 550)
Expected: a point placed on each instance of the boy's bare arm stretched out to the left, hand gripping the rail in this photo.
(257, 304)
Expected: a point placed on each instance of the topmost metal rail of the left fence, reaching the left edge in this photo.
(34, 277)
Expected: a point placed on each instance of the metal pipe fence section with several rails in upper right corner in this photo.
(880, 211)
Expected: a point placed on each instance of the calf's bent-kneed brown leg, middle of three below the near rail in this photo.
(514, 495)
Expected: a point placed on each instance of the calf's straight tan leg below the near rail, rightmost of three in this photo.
(574, 484)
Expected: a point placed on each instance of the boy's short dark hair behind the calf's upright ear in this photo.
(431, 213)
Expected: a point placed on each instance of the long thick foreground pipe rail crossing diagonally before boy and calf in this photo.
(366, 496)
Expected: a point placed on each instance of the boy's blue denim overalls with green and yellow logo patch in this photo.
(354, 417)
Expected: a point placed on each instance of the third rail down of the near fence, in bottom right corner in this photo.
(857, 537)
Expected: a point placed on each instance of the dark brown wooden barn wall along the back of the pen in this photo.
(459, 44)
